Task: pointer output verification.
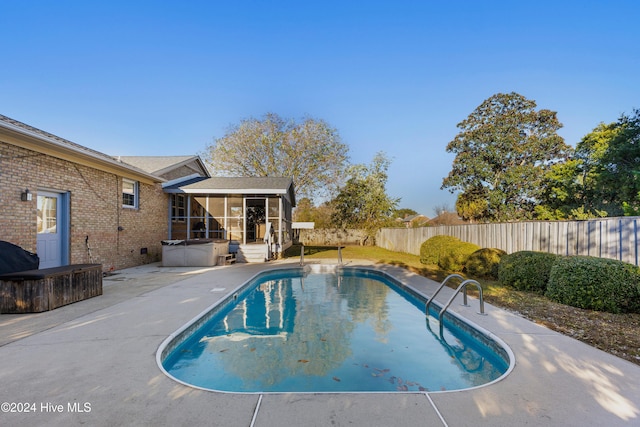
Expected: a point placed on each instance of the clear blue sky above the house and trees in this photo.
(168, 77)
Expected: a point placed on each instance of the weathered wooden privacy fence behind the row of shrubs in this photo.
(615, 238)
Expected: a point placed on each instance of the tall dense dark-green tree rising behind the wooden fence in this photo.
(503, 150)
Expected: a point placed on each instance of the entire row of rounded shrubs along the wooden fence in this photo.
(583, 282)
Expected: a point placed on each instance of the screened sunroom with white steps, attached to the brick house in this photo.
(252, 213)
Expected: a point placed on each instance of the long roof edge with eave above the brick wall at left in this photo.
(25, 136)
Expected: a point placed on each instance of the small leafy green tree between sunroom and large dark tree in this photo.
(363, 201)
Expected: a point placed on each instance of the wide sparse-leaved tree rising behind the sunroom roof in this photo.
(310, 151)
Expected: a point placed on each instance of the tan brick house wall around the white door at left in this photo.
(101, 229)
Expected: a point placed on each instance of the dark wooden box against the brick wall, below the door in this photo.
(34, 291)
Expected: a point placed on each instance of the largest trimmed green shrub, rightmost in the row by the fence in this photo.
(596, 284)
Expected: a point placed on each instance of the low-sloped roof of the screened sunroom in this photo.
(235, 185)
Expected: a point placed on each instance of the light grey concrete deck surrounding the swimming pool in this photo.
(94, 363)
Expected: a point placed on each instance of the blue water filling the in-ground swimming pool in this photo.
(354, 330)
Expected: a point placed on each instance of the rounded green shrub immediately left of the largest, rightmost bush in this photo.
(526, 270)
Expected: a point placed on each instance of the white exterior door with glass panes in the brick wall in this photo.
(49, 241)
